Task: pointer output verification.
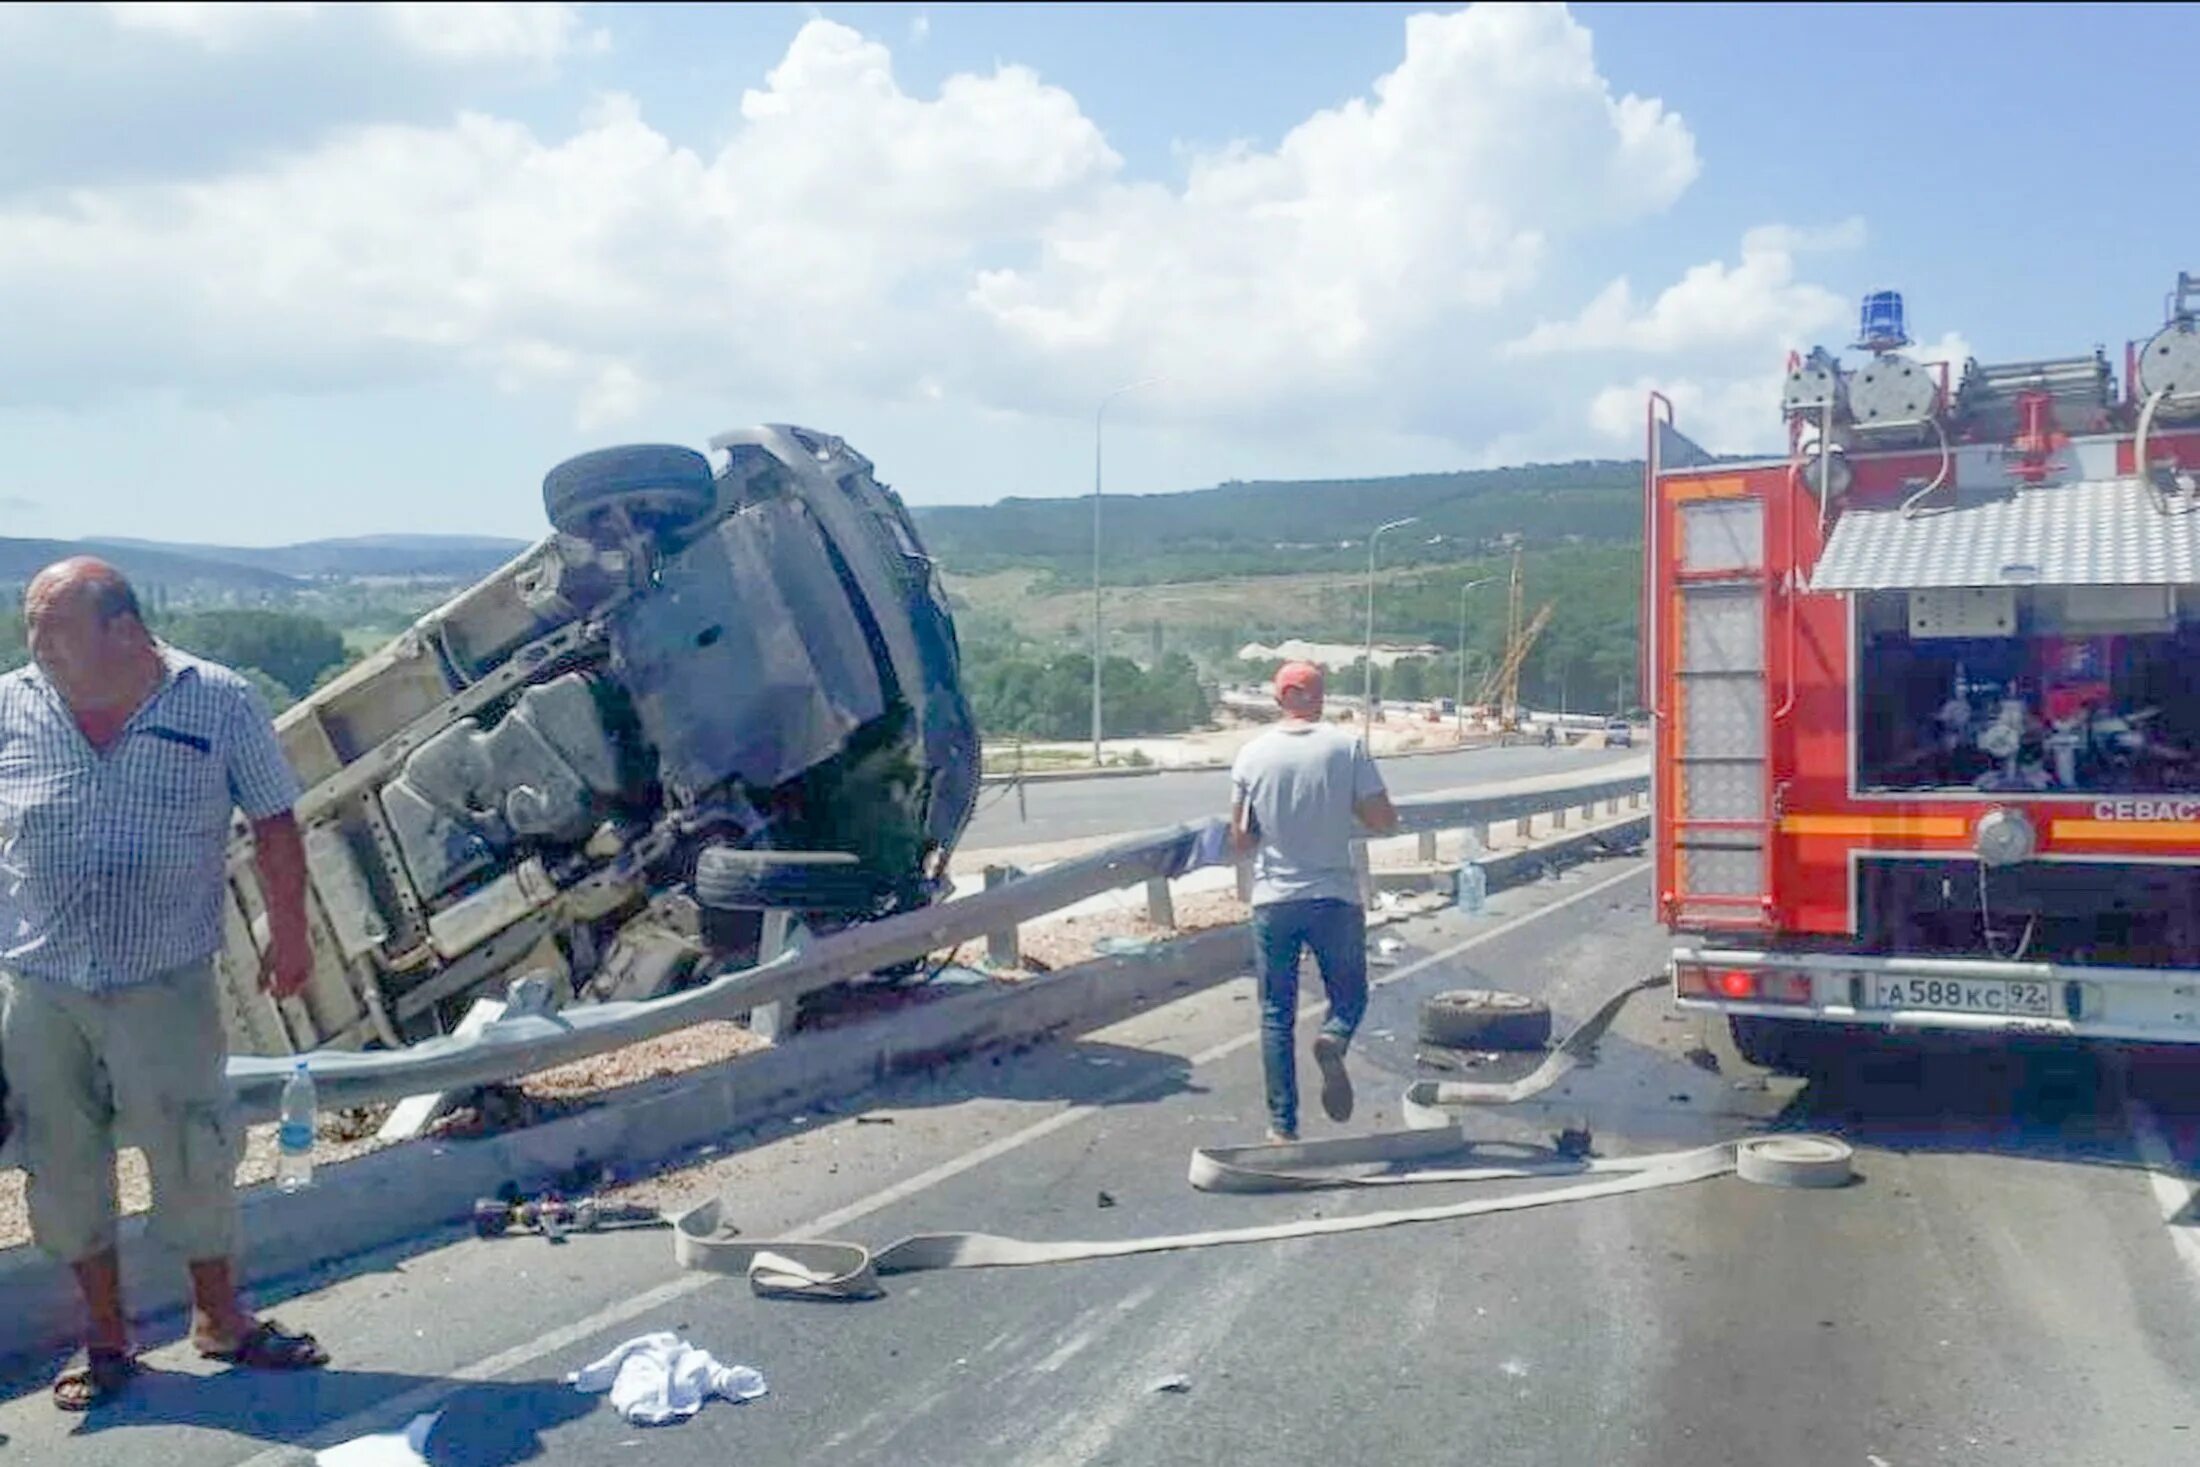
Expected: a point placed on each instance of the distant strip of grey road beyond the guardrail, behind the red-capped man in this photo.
(1079, 808)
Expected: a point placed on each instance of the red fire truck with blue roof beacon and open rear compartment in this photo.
(1928, 698)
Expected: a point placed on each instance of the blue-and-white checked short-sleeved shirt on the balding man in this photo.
(113, 865)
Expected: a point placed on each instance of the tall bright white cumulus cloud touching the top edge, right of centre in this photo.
(1317, 263)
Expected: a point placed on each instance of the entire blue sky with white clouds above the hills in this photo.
(329, 269)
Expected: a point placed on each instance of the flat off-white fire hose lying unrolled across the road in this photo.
(830, 1270)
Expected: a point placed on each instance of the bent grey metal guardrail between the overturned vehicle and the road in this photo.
(525, 1044)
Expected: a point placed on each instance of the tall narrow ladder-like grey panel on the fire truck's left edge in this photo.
(1719, 808)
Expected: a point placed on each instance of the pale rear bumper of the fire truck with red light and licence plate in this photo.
(2148, 1006)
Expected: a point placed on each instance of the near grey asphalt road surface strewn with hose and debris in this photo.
(2005, 1283)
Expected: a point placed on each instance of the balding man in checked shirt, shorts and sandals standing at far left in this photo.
(120, 766)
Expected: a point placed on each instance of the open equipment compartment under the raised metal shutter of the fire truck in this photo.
(2034, 690)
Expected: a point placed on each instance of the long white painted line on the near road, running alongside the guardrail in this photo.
(569, 1336)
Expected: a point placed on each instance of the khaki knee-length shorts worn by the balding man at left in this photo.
(144, 1063)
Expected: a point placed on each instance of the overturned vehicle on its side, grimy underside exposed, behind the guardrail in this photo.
(720, 705)
